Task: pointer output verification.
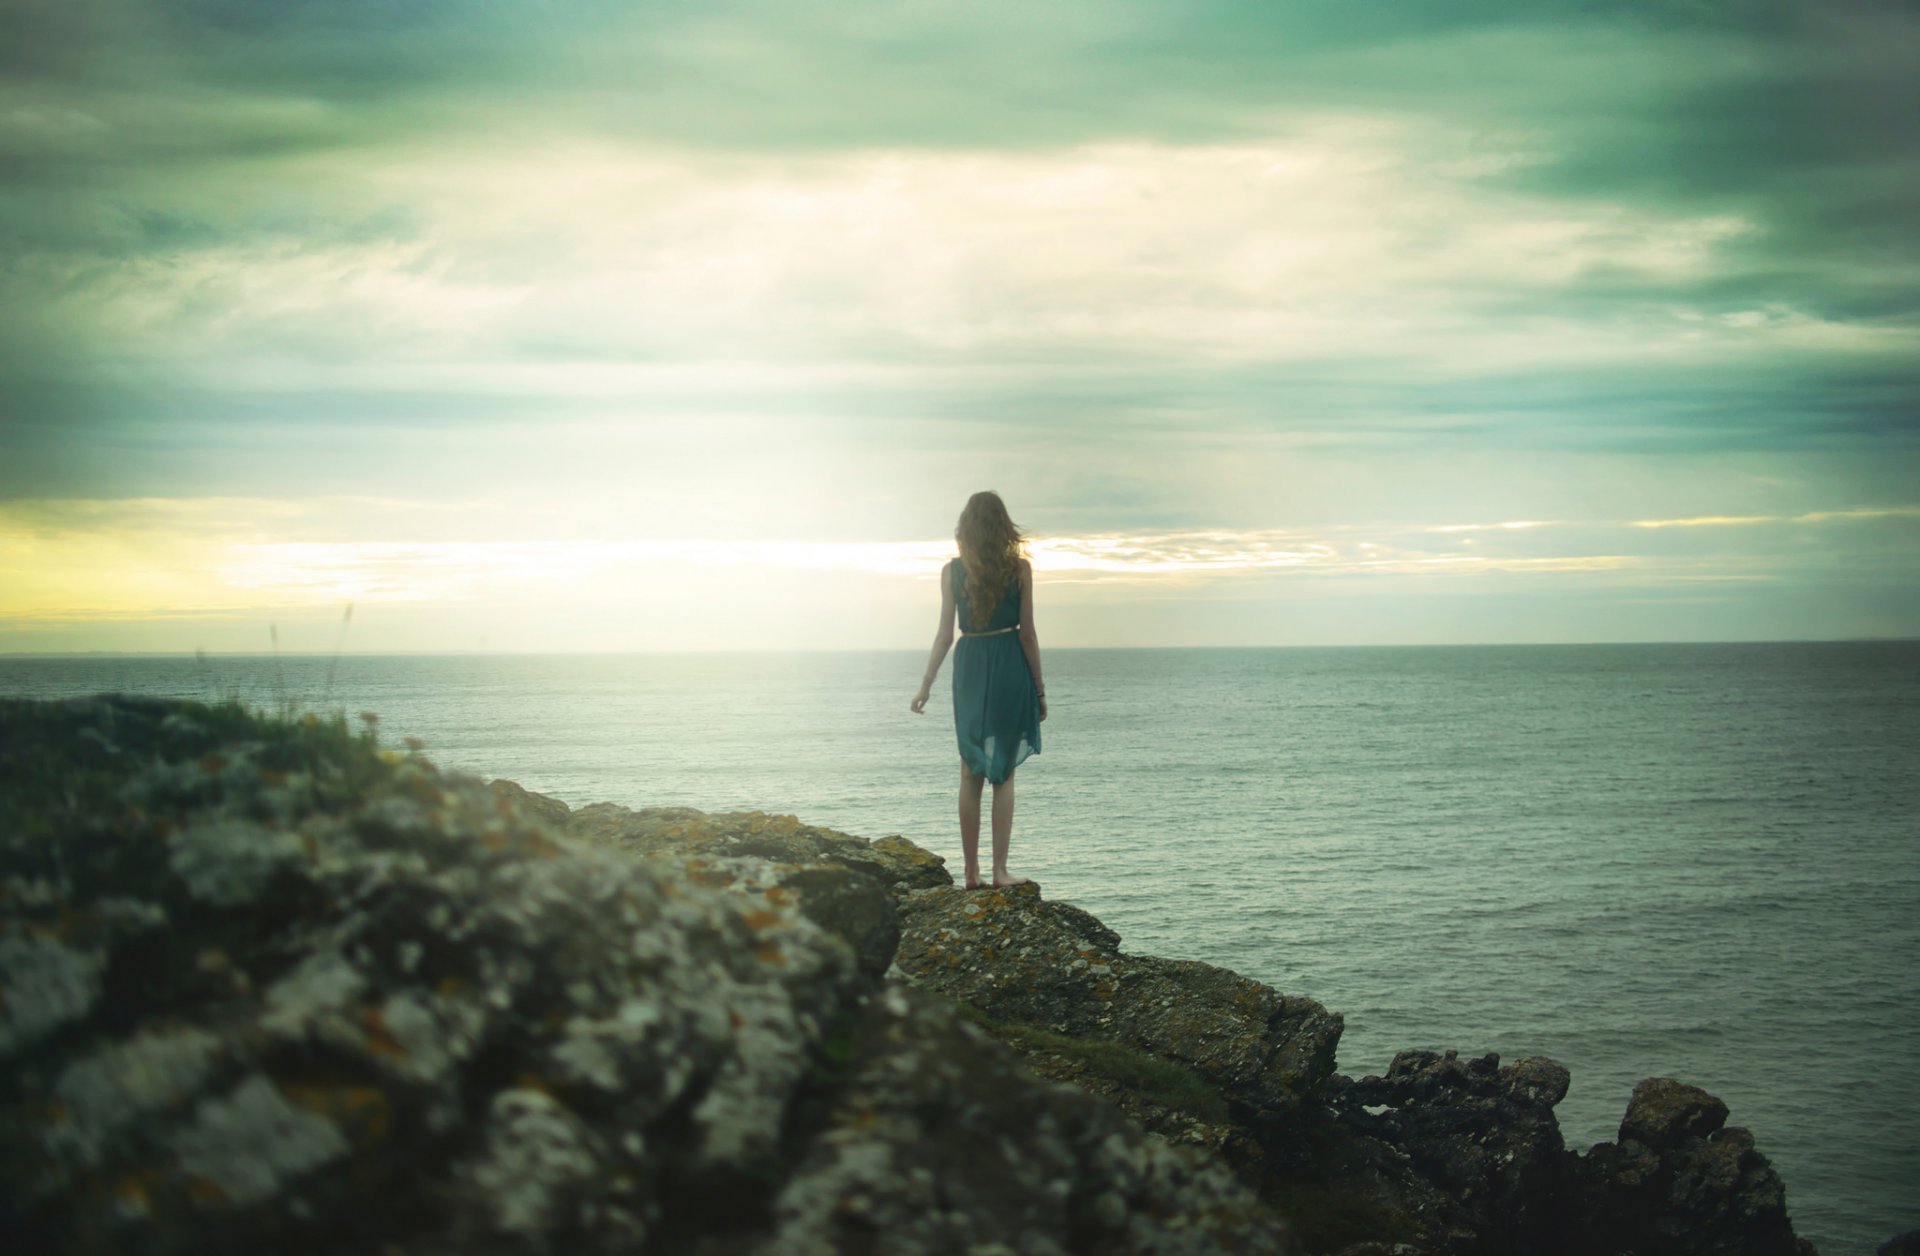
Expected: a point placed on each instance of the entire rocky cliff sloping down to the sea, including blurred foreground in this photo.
(270, 988)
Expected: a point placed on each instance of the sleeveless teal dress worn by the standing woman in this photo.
(997, 717)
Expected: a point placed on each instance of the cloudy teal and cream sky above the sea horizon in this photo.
(535, 326)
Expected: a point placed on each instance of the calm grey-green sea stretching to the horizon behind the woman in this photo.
(1692, 861)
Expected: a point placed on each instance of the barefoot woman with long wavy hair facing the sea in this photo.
(999, 698)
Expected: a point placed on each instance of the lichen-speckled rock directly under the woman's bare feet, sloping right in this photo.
(1024, 961)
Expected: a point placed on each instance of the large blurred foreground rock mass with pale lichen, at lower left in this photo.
(274, 990)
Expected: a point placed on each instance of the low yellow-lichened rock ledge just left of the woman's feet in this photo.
(684, 833)
